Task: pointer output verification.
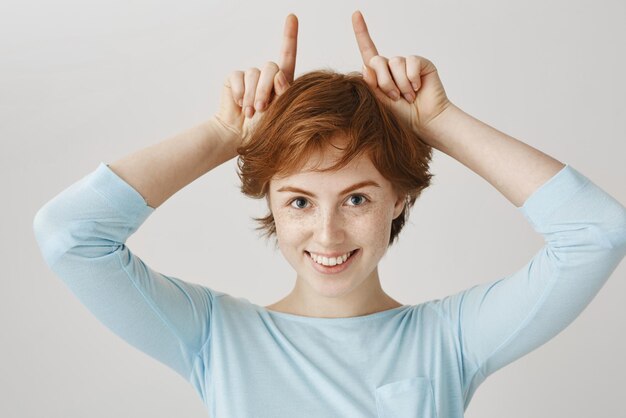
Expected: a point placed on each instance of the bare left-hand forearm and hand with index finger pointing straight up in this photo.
(159, 171)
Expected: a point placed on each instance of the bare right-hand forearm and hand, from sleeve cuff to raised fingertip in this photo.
(514, 168)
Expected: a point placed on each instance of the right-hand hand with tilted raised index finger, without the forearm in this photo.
(415, 78)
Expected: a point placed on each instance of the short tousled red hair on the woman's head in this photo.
(317, 106)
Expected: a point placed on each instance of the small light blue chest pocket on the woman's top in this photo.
(407, 398)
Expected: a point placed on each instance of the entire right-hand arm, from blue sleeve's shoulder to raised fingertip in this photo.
(584, 228)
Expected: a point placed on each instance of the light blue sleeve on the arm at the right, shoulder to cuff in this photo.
(498, 322)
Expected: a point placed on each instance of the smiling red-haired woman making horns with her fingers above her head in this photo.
(340, 160)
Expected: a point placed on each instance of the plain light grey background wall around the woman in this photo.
(89, 82)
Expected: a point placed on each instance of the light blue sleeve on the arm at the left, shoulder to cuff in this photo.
(82, 233)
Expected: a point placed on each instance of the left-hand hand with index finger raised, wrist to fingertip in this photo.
(245, 95)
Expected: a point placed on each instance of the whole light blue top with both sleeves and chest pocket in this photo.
(243, 360)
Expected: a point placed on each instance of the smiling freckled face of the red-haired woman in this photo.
(331, 221)
